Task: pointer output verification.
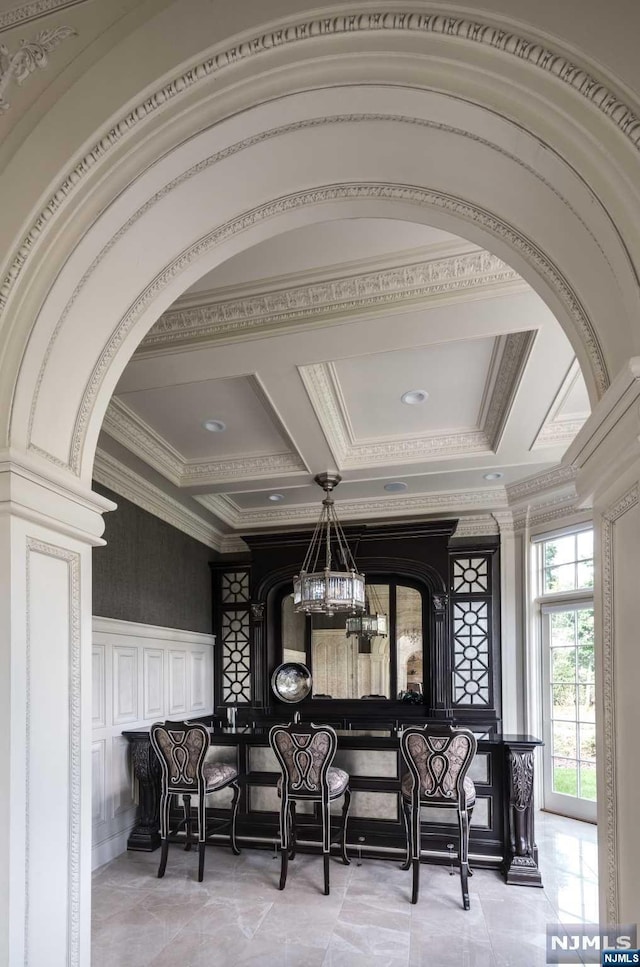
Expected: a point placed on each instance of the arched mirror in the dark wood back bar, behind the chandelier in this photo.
(358, 666)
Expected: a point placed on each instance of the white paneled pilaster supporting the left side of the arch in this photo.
(47, 530)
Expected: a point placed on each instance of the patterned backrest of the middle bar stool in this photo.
(305, 753)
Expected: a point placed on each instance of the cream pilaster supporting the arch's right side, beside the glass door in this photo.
(607, 454)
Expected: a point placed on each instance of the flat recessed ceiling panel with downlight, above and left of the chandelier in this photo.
(177, 414)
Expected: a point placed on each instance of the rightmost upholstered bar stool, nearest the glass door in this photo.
(438, 757)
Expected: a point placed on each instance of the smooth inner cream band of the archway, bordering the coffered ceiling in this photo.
(158, 237)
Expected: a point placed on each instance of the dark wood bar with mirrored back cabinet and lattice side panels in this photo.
(440, 662)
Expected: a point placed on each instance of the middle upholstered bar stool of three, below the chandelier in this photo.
(305, 754)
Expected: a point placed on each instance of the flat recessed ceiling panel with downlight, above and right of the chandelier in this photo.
(453, 375)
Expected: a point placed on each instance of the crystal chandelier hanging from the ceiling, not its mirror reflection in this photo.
(327, 590)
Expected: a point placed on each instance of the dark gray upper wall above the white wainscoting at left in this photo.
(150, 572)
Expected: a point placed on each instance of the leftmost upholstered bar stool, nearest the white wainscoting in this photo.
(181, 748)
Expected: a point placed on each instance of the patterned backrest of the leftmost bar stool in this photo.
(181, 748)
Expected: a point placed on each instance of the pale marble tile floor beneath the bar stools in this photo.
(237, 916)
